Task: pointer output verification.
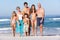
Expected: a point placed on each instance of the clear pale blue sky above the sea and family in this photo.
(52, 7)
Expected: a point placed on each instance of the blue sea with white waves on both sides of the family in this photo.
(51, 25)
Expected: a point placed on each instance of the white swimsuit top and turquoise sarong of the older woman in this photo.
(19, 27)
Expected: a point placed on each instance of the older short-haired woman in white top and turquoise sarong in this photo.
(20, 23)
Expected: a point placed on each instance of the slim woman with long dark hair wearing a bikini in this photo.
(33, 18)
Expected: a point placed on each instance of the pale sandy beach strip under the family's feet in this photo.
(17, 37)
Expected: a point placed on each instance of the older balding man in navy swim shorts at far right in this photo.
(40, 17)
